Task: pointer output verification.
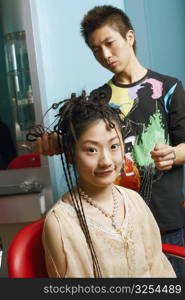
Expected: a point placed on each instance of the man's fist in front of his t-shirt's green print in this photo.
(164, 156)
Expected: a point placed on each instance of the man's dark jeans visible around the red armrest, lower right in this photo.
(176, 237)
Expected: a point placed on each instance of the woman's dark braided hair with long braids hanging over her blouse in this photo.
(74, 116)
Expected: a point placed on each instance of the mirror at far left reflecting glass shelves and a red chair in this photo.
(17, 113)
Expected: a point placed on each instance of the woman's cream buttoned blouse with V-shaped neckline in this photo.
(135, 252)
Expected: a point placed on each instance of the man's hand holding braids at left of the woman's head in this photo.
(48, 144)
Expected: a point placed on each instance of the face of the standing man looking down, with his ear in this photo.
(111, 50)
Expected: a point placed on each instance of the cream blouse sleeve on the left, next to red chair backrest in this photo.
(53, 247)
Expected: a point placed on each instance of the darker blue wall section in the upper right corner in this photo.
(166, 36)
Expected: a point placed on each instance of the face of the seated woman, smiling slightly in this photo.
(99, 155)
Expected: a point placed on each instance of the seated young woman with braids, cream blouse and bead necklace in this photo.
(98, 229)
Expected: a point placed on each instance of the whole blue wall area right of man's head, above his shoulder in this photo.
(159, 27)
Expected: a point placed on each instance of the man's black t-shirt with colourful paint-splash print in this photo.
(155, 112)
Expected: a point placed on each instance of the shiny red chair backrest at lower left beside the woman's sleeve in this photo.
(26, 254)
